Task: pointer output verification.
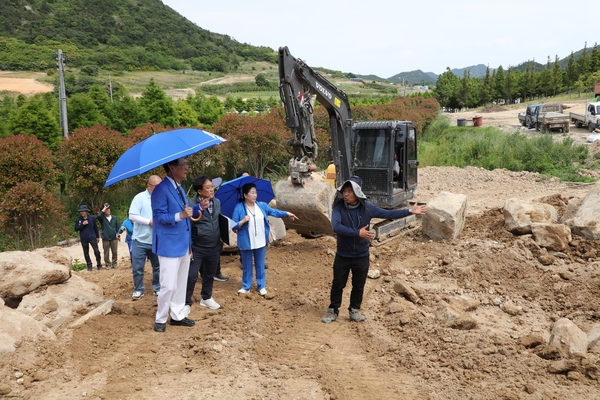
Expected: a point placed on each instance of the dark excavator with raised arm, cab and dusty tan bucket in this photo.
(382, 153)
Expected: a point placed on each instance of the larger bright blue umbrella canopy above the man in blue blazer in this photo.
(159, 149)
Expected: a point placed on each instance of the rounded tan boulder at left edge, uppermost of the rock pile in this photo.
(24, 271)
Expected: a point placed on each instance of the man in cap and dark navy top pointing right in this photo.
(350, 218)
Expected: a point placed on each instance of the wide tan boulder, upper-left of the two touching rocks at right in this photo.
(520, 214)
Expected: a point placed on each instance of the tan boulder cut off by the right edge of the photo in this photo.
(583, 217)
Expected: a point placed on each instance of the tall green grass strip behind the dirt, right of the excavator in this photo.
(490, 148)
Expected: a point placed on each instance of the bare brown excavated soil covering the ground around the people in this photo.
(277, 347)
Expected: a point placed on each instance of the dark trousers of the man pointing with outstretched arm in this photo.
(341, 270)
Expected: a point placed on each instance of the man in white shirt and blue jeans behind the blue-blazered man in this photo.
(140, 213)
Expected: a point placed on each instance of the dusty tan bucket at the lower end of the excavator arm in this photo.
(310, 202)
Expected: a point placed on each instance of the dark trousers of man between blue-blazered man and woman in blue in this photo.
(208, 258)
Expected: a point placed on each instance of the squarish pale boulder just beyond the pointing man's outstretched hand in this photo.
(445, 217)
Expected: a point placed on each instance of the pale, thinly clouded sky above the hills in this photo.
(386, 37)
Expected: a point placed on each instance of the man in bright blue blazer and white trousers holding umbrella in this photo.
(171, 241)
